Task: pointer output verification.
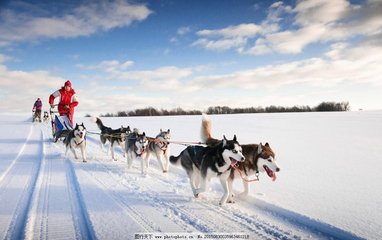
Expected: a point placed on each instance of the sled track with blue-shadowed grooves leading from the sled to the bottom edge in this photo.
(43, 222)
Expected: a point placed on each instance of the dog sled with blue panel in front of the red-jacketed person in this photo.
(61, 125)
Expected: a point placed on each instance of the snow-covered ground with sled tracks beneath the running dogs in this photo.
(329, 186)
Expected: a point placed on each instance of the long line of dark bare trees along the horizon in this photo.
(150, 111)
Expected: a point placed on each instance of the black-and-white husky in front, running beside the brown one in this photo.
(202, 163)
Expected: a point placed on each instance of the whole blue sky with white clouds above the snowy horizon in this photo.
(122, 55)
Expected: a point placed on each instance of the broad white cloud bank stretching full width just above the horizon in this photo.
(192, 88)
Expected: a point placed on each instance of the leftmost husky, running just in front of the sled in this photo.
(76, 139)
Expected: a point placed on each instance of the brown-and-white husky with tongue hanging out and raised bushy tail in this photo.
(258, 158)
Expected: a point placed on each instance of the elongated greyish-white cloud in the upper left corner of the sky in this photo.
(81, 21)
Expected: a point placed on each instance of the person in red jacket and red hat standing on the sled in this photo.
(68, 100)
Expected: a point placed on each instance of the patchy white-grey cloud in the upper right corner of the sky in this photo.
(308, 22)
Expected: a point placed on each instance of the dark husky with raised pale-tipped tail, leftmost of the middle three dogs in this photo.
(114, 136)
